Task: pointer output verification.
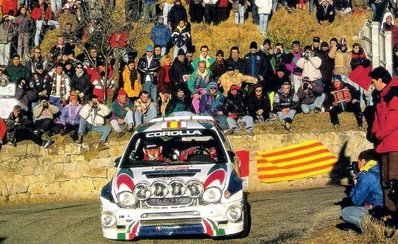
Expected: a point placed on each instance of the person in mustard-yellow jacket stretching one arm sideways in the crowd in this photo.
(234, 77)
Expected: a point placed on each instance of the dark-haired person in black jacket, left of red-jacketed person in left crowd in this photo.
(80, 83)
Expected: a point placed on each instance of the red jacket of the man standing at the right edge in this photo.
(385, 126)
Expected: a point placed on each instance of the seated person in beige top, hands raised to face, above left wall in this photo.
(44, 114)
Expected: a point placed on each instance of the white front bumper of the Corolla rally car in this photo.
(209, 220)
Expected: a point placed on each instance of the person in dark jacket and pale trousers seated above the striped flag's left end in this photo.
(286, 104)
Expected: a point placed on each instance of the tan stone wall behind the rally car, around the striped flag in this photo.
(68, 172)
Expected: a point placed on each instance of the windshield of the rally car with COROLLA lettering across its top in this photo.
(174, 147)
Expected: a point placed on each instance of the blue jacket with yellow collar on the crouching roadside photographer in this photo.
(368, 190)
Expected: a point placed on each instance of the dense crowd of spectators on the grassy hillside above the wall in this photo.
(66, 93)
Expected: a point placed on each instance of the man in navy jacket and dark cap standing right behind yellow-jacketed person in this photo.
(254, 66)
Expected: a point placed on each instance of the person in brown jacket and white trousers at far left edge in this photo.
(6, 35)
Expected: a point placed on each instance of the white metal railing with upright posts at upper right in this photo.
(377, 45)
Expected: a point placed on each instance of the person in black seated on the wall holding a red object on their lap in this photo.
(344, 98)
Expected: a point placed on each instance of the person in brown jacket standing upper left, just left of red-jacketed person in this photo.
(24, 27)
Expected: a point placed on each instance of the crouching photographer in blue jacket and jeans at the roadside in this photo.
(366, 193)
